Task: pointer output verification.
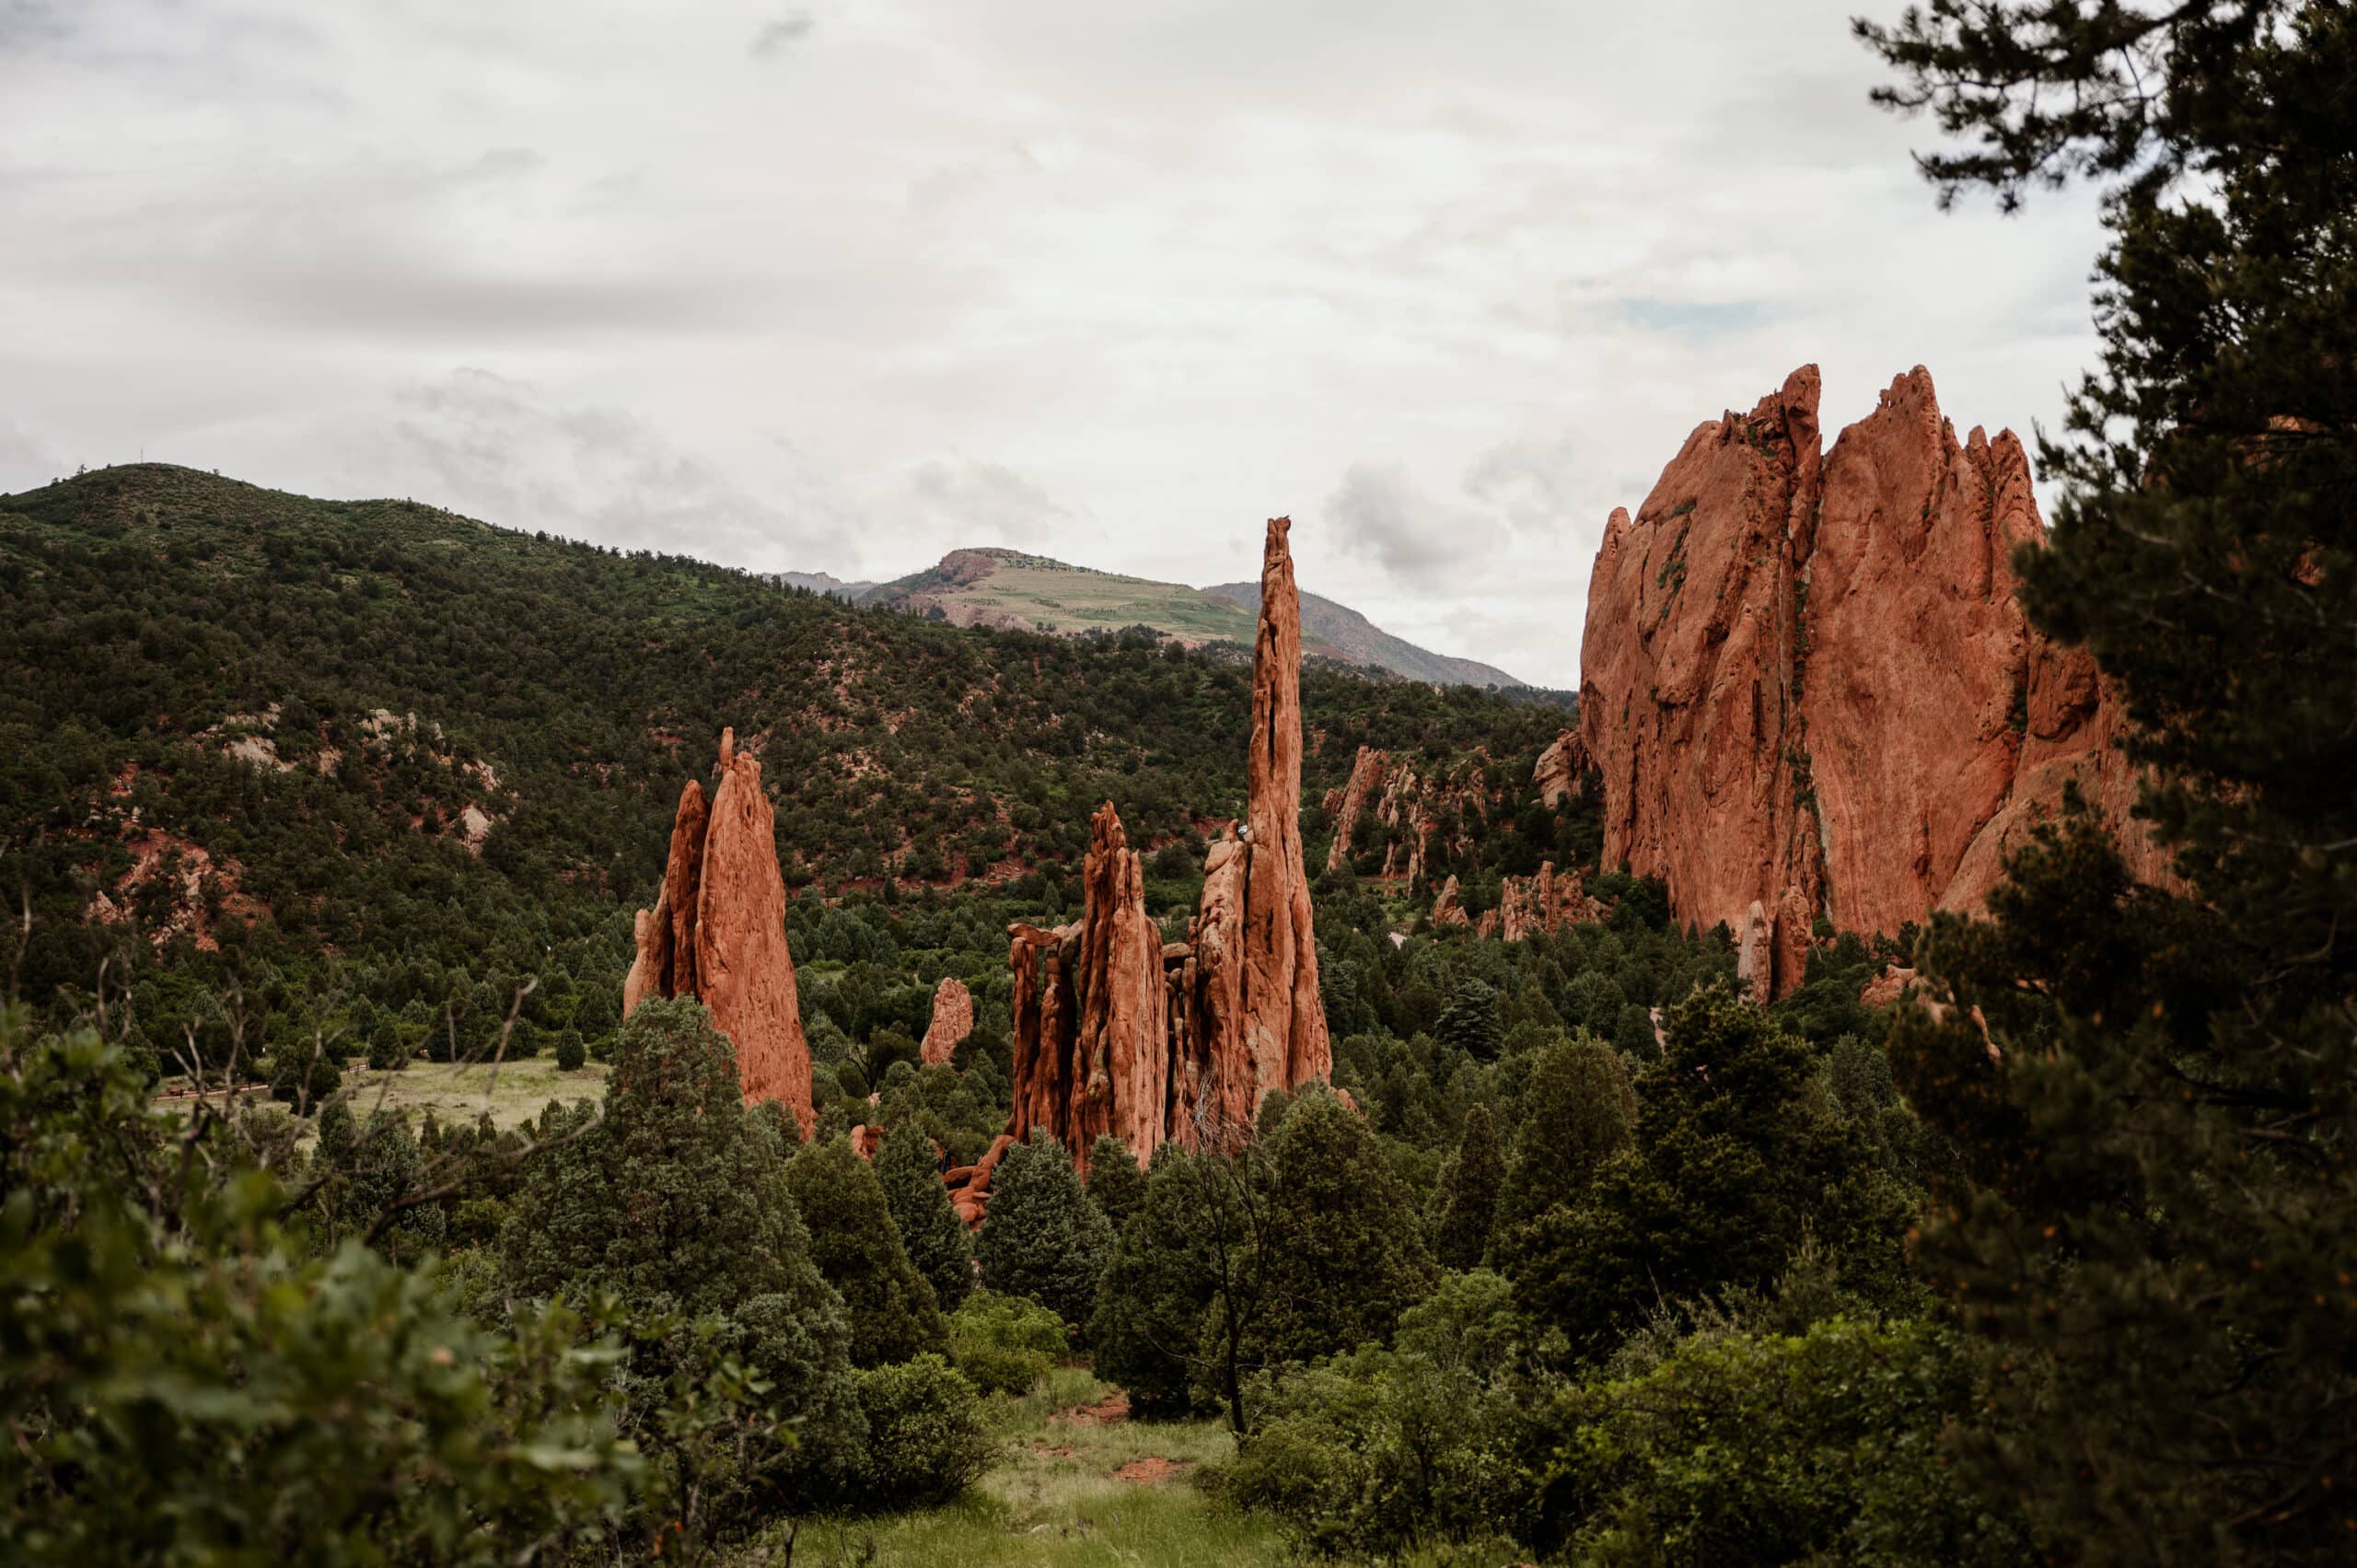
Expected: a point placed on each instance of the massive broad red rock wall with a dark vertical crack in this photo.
(1811, 690)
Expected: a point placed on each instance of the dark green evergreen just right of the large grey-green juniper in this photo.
(857, 1246)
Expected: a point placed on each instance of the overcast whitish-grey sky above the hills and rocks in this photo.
(845, 284)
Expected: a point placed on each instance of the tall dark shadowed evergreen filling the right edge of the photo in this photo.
(2165, 1131)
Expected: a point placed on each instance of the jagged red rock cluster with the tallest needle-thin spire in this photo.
(1116, 1029)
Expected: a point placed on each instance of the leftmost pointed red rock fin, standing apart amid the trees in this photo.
(718, 933)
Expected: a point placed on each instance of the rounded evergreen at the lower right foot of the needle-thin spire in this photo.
(1345, 1246)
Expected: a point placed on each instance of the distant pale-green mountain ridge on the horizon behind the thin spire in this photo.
(1024, 593)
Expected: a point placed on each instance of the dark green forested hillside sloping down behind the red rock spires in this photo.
(326, 751)
